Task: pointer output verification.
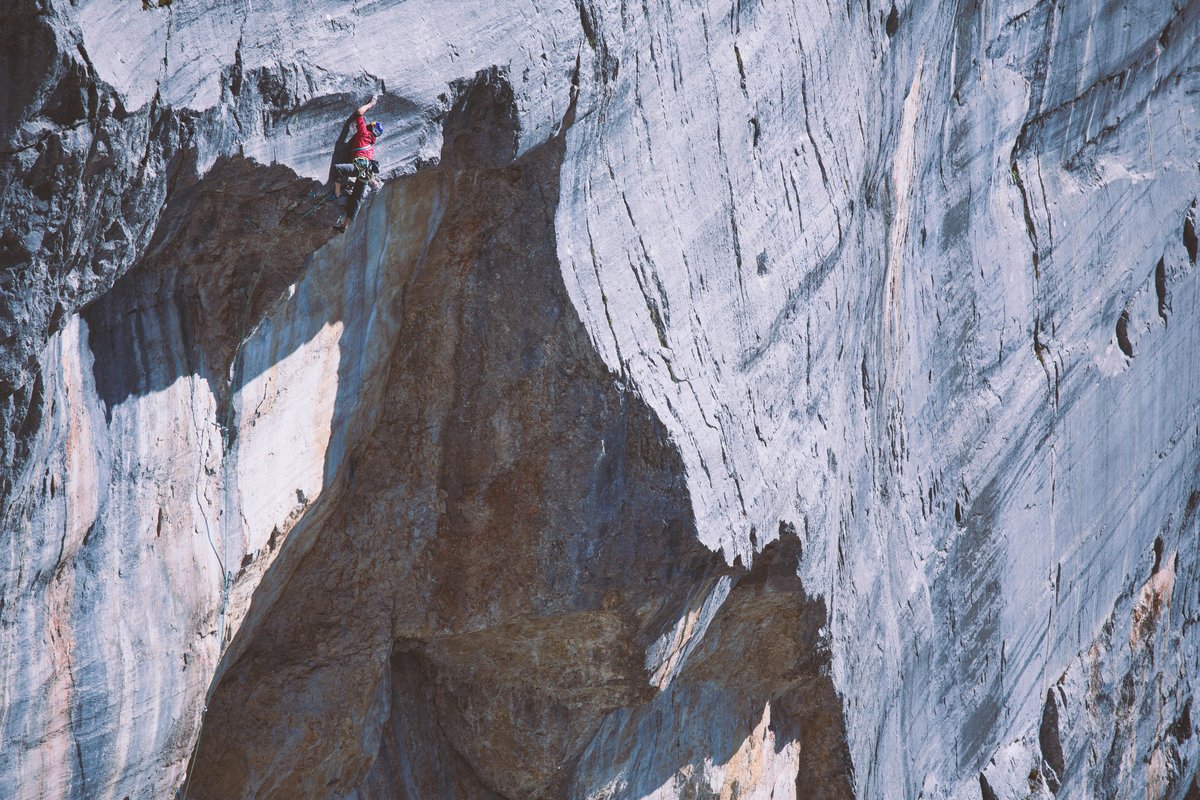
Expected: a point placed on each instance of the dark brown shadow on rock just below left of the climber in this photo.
(224, 251)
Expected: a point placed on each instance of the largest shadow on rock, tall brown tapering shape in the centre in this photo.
(517, 533)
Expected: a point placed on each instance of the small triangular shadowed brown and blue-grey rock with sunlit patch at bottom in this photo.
(754, 705)
